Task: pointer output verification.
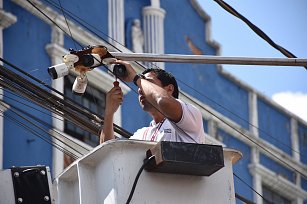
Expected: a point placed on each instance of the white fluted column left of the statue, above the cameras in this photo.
(116, 22)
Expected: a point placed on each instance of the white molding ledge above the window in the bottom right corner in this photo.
(278, 183)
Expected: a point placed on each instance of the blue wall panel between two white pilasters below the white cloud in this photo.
(274, 126)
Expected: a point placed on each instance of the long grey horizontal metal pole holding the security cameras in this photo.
(208, 59)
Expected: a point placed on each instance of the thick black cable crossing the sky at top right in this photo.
(257, 30)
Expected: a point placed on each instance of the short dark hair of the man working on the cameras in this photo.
(166, 78)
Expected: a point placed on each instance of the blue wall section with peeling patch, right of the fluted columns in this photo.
(208, 85)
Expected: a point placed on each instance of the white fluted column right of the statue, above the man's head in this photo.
(153, 23)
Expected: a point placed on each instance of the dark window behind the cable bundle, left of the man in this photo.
(94, 100)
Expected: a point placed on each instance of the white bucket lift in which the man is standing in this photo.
(106, 175)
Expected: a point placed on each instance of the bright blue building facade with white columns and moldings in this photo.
(273, 141)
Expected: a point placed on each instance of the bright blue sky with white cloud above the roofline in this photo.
(285, 22)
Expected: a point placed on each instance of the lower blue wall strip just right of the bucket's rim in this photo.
(241, 167)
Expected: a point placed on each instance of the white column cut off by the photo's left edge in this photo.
(7, 19)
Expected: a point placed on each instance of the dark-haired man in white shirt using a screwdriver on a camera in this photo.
(173, 120)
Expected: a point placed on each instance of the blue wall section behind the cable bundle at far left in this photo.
(24, 44)
